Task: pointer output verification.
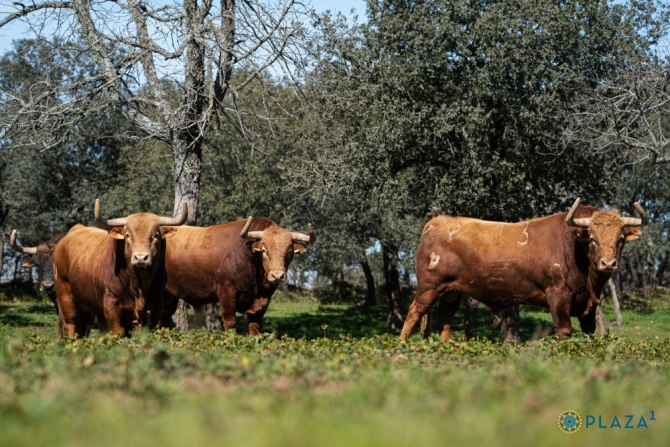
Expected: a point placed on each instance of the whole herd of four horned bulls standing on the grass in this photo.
(132, 273)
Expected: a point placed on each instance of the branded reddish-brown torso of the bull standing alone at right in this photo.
(492, 259)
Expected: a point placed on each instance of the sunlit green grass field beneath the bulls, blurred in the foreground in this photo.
(357, 386)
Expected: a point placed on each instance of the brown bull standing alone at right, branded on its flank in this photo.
(560, 261)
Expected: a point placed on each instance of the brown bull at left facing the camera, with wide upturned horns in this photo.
(118, 276)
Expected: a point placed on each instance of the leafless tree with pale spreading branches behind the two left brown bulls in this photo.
(166, 66)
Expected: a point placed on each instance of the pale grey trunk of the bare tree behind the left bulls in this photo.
(187, 170)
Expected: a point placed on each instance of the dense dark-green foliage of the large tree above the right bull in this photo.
(453, 105)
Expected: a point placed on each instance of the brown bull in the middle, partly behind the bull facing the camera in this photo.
(239, 264)
